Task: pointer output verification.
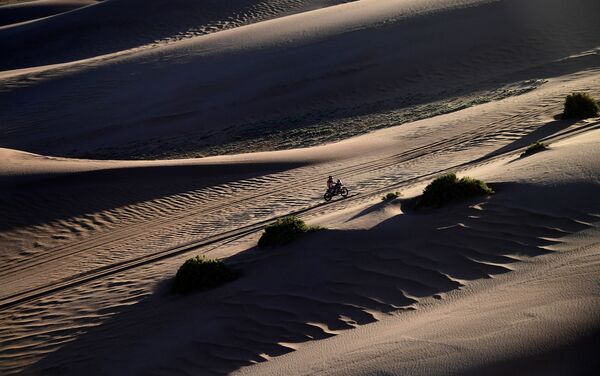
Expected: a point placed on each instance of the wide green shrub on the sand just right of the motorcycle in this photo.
(448, 188)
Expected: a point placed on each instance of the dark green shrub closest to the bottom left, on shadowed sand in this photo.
(200, 273)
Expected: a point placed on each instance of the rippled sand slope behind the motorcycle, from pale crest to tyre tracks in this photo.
(85, 205)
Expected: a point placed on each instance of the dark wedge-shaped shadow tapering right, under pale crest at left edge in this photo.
(70, 195)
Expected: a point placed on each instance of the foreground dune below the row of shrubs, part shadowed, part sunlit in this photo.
(341, 279)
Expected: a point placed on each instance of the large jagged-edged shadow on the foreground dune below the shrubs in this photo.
(324, 283)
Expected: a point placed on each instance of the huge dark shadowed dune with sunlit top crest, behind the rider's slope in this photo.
(330, 68)
